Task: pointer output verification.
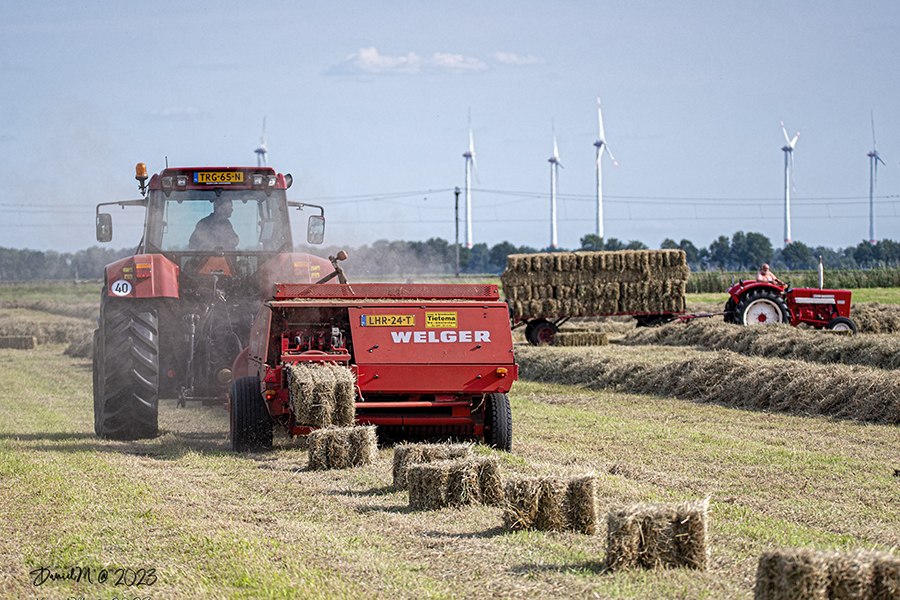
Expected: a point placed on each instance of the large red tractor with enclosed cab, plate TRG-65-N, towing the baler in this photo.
(174, 316)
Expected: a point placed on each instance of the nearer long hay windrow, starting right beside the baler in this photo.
(726, 378)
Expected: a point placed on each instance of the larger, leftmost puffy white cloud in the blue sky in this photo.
(369, 60)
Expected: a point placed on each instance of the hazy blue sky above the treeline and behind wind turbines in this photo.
(366, 105)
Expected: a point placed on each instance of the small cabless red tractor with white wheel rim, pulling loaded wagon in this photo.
(762, 303)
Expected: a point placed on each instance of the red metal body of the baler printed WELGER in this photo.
(446, 347)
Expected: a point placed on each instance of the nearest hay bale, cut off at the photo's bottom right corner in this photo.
(791, 573)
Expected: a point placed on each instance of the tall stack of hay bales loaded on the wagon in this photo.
(576, 284)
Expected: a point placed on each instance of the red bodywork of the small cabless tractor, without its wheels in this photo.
(807, 305)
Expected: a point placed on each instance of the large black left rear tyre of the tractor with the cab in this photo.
(126, 404)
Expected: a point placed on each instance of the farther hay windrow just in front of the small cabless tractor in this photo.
(775, 341)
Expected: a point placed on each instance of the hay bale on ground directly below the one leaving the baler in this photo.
(341, 447)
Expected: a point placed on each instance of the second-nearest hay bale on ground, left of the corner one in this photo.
(657, 535)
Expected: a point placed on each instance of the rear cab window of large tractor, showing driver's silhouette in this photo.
(199, 220)
